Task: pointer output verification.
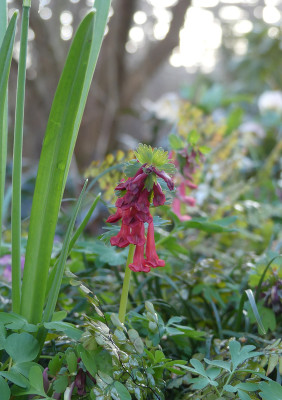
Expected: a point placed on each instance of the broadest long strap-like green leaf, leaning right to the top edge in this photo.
(60, 137)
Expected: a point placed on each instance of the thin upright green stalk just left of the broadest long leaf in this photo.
(17, 165)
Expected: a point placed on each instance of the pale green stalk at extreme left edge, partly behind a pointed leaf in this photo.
(4, 127)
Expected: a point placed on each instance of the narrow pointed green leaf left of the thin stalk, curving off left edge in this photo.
(6, 52)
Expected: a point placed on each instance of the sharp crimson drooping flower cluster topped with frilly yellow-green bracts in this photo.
(133, 207)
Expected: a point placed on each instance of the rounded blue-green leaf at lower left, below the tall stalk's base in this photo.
(22, 347)
